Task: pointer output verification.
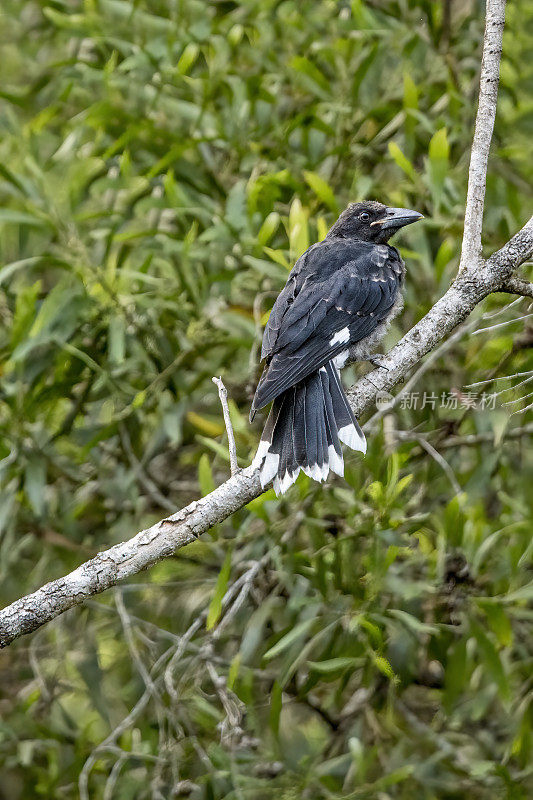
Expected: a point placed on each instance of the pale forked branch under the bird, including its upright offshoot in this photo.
(474, 282)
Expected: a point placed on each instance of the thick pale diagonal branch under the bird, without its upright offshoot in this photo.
(170, 534)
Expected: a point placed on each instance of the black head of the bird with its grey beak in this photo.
(372, 221)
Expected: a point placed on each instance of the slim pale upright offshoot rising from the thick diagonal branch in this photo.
(486, 114)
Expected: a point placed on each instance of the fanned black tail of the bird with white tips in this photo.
(304, 430)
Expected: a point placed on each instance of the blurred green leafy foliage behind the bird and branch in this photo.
(162, 164)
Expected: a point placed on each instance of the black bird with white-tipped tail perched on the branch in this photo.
(338, 302)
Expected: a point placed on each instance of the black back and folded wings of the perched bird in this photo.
(323, 310)
